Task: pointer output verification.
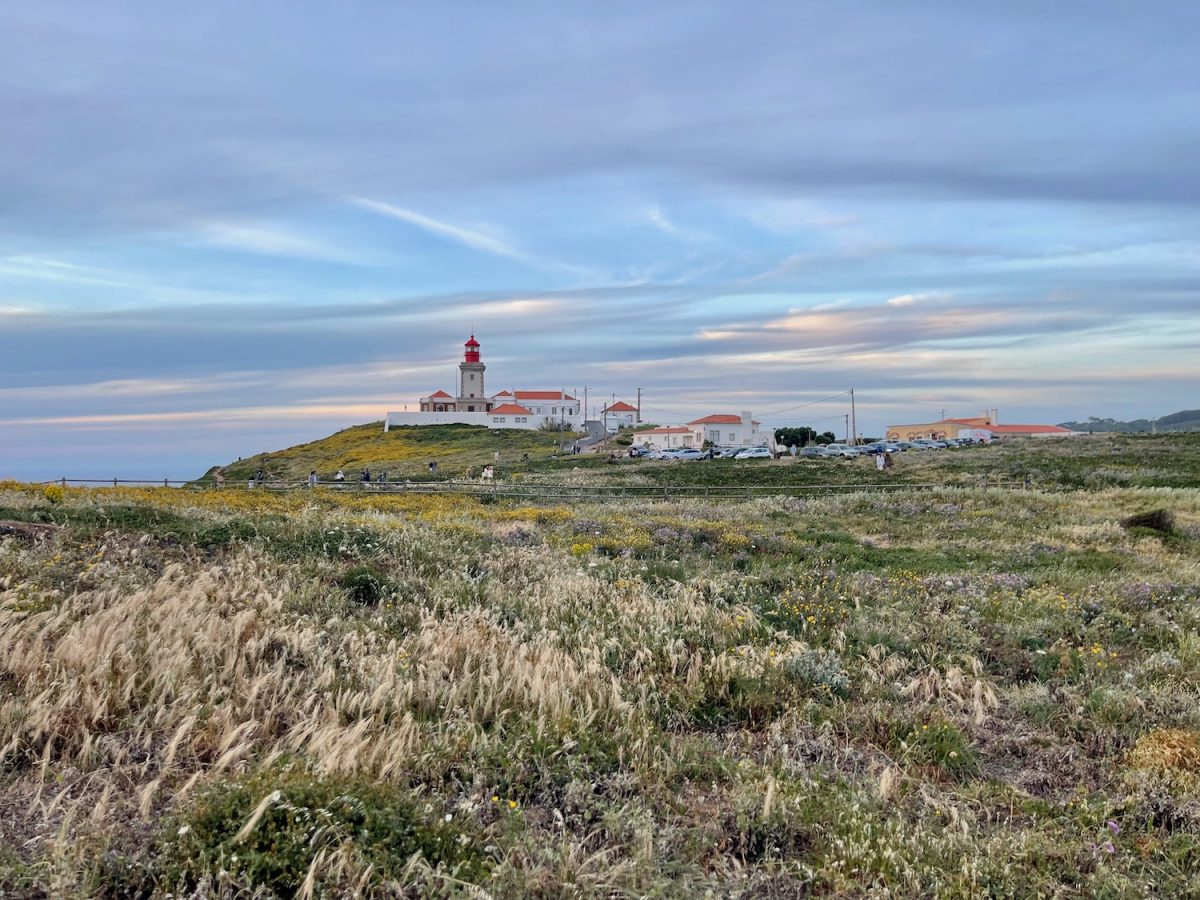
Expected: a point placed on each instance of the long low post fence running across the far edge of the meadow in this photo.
(557, 491)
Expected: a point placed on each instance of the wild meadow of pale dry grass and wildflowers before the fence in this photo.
(932, 693)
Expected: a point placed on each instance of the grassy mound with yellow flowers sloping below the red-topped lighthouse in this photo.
(401, 453)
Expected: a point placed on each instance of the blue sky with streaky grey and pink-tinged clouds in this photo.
(230, 227)
